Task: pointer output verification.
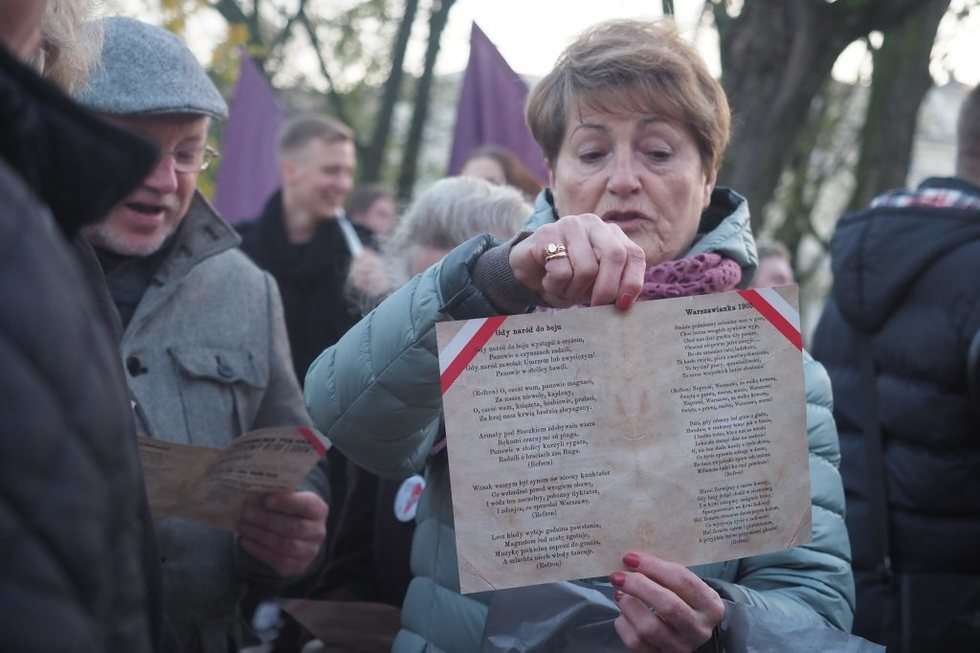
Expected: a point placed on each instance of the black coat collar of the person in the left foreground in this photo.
(75, 163)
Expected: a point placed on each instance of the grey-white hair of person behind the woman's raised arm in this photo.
(446, 215)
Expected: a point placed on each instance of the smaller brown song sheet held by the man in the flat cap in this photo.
(210, 485)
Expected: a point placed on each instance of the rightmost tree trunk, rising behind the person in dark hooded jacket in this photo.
(899, 83)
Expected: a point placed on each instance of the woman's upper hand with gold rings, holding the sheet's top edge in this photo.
(601, 264)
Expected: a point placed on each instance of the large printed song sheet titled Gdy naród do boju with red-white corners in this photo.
(676, 428)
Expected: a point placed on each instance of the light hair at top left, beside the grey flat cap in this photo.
(71, 42)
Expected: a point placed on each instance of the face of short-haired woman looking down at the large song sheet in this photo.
(640, 172)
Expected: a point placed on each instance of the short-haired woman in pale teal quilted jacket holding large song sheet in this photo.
(634, 128)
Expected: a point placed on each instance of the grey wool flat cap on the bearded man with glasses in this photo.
(146, 70)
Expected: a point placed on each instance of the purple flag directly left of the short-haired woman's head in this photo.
(491, 109)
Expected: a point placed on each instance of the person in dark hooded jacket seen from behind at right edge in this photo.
(905, 289)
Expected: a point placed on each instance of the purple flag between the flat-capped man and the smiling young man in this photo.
(249, 170)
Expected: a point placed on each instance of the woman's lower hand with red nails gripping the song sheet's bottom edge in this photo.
(665, 606)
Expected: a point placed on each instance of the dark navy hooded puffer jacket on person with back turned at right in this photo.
(909, 277)
